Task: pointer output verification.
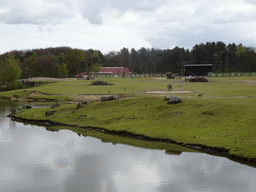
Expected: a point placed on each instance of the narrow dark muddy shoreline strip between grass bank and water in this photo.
(207, 149)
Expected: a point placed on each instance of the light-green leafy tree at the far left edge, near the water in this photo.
(9, 73)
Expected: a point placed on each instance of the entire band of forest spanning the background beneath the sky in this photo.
(67, 62)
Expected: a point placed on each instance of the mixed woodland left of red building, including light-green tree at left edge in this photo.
(51, 62)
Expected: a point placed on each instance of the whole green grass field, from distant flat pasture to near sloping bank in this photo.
(224, 117)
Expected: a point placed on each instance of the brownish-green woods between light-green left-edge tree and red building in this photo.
(55, 62)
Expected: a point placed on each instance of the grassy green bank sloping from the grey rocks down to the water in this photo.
(221, 123)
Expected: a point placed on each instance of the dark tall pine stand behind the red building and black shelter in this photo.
(225, 58)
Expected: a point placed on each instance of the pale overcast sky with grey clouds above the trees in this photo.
(110, 25)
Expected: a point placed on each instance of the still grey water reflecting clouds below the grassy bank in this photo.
(34, 159)
